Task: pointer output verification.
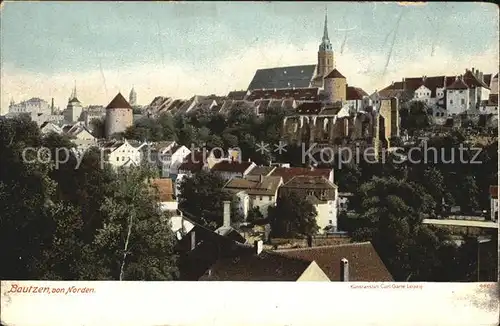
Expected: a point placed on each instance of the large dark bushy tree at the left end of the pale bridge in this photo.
(391, 212)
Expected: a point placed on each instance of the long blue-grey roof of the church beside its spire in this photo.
(283, 77)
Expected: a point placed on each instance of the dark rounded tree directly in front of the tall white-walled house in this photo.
(293, 216)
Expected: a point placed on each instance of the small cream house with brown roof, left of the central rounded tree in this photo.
(255, 191)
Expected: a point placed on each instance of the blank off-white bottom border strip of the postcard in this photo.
(253, 303)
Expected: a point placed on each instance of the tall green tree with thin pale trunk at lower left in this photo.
(136, 238)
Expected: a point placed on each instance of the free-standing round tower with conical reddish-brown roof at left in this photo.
(119, 116)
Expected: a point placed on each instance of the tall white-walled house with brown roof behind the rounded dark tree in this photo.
(322, 193)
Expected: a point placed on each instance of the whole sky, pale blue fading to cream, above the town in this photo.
(181, 49)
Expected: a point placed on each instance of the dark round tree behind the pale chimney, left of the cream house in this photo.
(202, 196)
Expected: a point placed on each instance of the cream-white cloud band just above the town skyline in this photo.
(234, 72)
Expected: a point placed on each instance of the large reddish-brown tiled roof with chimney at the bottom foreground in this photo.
(365, 264)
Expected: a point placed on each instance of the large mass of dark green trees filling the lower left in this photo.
(69, 222)
